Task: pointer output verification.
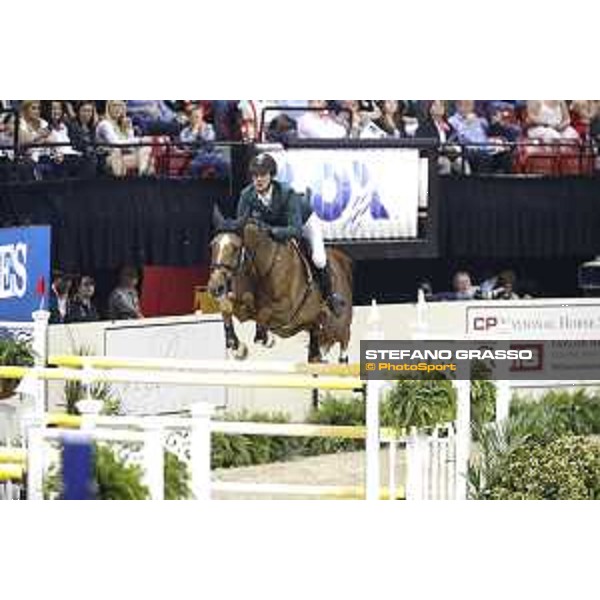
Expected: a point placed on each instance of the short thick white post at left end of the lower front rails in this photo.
(201, 450)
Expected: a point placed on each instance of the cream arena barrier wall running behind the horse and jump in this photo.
(174, 337)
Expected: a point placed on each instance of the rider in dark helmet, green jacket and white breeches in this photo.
(288, 215)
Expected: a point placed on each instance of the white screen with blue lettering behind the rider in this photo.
(359, 193)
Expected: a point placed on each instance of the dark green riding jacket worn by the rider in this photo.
(286, 214)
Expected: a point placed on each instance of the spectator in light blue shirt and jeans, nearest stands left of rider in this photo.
(208, 161)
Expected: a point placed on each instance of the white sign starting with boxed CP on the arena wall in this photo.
(567, 321)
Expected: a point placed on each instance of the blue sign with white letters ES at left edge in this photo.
(24, 271)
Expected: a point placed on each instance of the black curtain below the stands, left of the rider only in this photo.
(105, 223)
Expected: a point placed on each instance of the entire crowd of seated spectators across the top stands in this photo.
(181, 137)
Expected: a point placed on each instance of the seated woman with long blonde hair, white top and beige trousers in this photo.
(116, 129)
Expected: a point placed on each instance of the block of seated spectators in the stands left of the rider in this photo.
(62, 138)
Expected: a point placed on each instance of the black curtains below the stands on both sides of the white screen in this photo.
(104, 223)
